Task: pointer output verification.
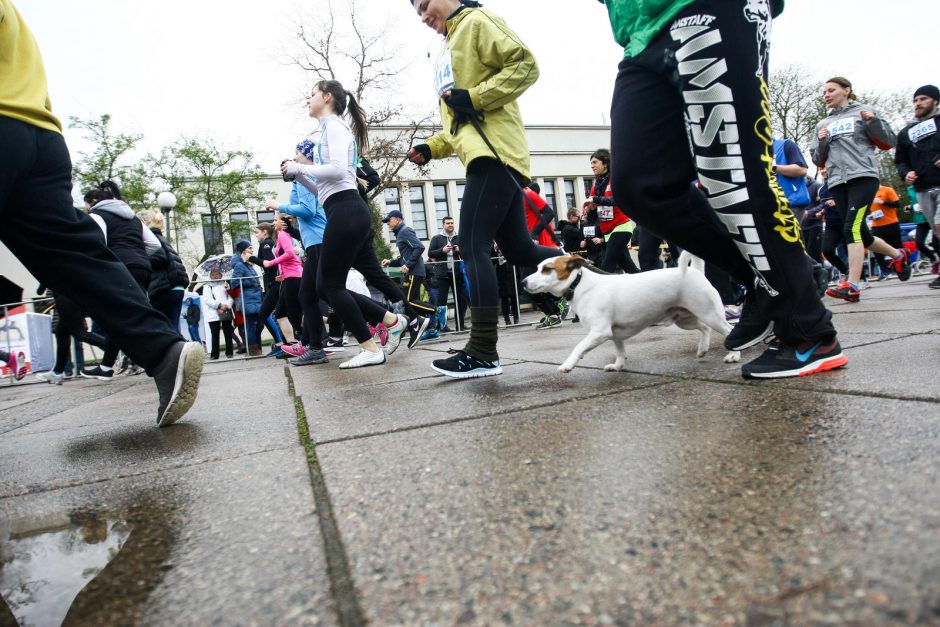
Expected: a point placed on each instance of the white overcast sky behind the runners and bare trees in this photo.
(213, 68)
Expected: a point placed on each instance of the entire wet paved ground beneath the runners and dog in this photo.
(672, 493)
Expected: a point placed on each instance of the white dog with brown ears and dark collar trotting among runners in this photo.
(618, 306)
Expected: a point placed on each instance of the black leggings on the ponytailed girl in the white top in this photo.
(347, 243)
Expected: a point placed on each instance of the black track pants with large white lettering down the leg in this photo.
(709, 67)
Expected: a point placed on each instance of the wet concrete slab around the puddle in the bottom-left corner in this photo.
(212, 543)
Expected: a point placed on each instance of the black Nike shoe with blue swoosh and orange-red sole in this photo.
(786, 360)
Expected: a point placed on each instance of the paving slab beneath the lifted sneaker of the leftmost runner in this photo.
(93, 437)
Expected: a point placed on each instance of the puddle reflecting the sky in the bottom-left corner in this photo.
(83, 567)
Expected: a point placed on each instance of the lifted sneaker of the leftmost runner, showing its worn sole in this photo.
(177, 378)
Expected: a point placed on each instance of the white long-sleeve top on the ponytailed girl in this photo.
(335, 164)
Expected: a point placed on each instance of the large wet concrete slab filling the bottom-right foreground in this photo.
(695, 503)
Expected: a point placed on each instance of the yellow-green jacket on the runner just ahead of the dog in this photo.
(491, 62)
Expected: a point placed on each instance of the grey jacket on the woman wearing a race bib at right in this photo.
(849, 150)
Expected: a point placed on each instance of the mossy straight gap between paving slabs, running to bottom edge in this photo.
(348, 610)
